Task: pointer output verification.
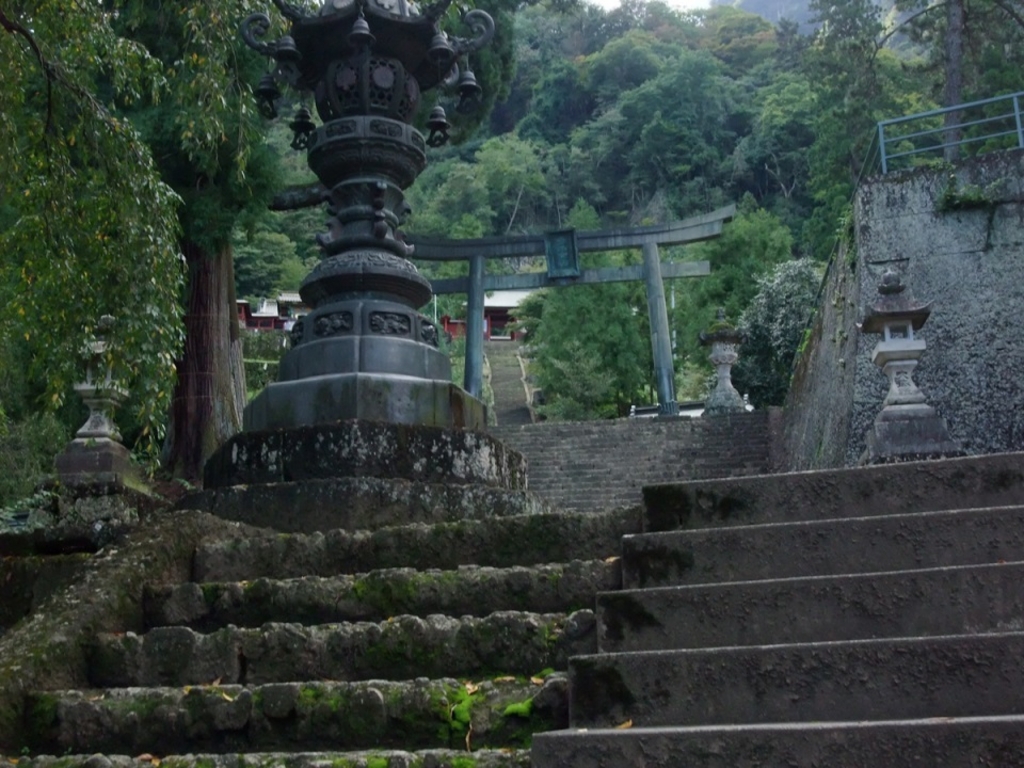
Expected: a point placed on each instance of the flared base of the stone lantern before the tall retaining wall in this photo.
(903, 434)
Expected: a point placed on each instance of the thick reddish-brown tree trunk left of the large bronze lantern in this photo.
(210, 391)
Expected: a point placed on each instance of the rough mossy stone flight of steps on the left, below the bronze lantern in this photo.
(200, 642)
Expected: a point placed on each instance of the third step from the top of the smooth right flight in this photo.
(907, 604)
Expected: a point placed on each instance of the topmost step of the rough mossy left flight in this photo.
(524, 540)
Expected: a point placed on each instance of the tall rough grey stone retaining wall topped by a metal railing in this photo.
(967, 260)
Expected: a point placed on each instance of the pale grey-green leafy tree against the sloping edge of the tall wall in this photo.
(775, 323)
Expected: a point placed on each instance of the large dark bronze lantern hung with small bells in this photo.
(365, 352)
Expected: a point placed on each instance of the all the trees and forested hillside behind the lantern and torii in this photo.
(135, 148)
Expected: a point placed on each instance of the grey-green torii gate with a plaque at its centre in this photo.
(562, 249)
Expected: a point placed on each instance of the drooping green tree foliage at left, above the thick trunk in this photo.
(87, 98)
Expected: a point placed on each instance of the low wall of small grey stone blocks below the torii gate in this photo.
(605, 464)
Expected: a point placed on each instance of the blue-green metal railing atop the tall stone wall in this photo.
(984, 126)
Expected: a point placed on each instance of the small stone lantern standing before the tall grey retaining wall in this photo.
(908, 429)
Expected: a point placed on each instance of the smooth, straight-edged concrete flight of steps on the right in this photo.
(854, 618)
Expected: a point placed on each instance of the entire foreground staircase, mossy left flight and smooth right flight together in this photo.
(849, 618)
